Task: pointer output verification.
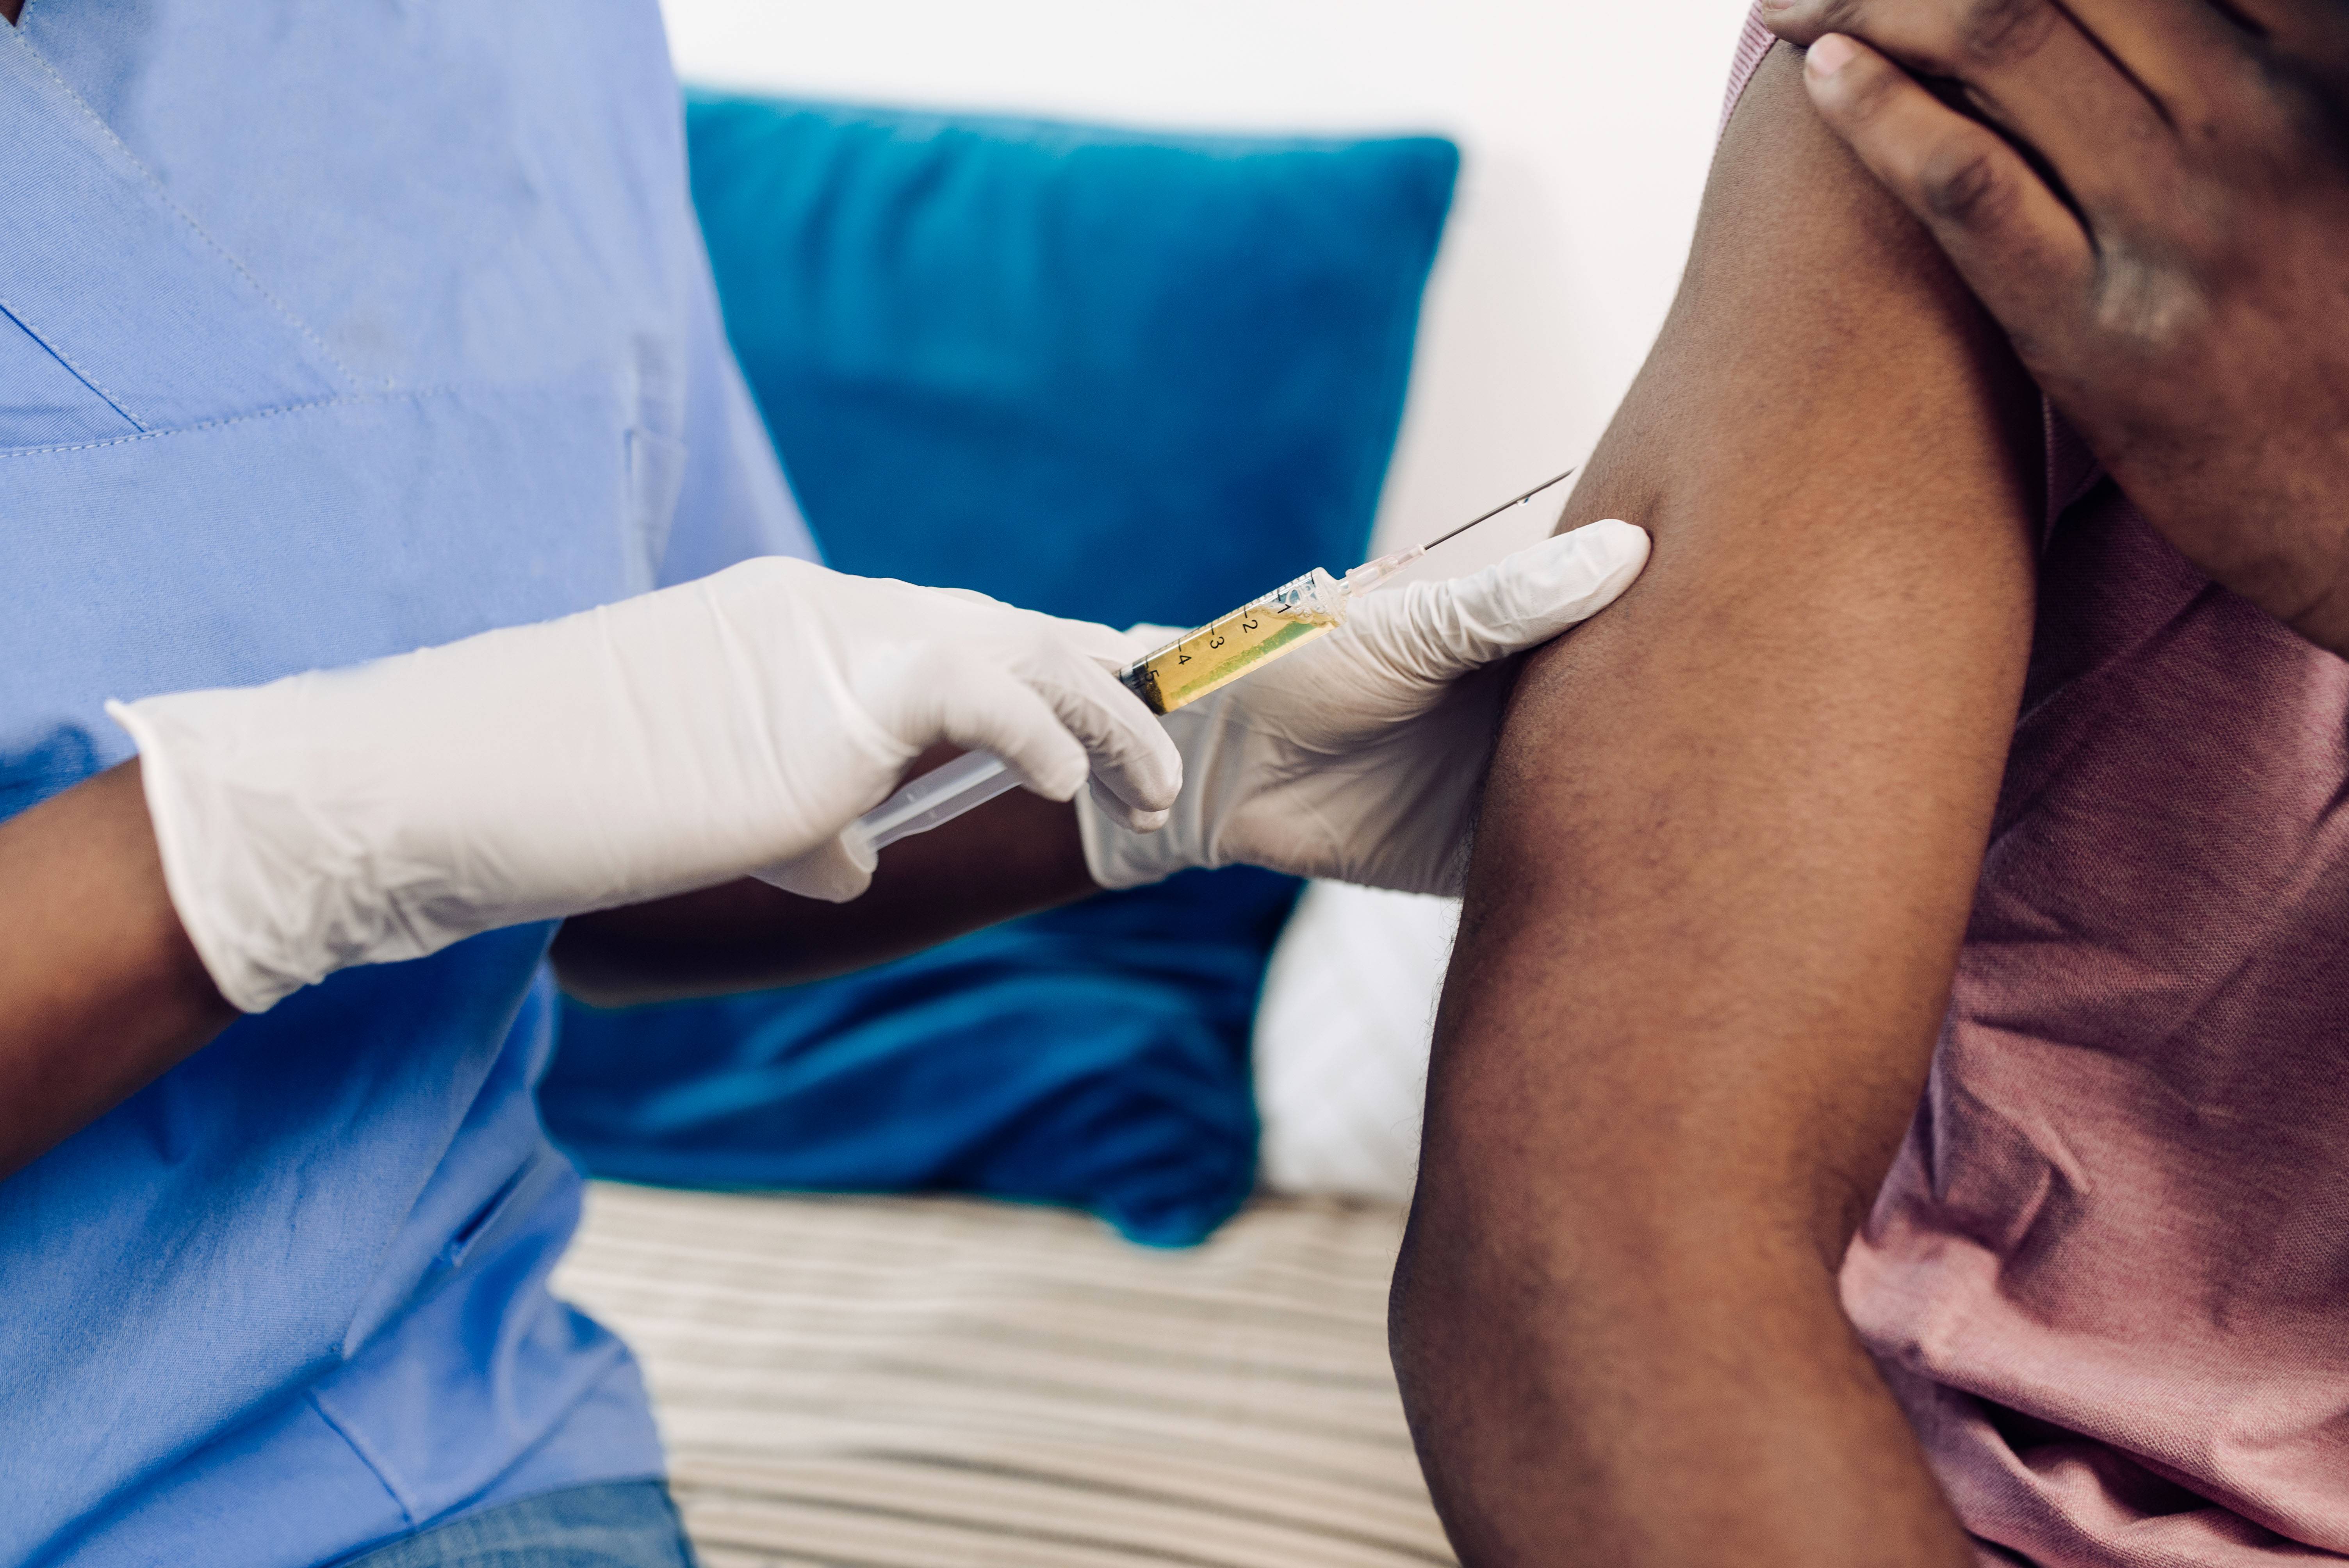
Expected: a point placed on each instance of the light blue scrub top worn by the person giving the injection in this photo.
(330, 332)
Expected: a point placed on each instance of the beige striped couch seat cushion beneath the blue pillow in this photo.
(929, 1381)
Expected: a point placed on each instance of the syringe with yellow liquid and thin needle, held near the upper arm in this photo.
(1178, 675)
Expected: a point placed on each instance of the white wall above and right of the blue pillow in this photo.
(1584, 128)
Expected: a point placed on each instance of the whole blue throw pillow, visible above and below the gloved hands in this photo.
(1086, 372)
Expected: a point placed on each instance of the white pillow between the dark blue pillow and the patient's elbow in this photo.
(1342, 1041)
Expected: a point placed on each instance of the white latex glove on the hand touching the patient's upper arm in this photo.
(1361, 757)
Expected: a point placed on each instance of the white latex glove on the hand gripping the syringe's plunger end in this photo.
(678, 741)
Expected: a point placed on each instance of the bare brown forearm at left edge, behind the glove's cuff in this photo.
(100, 989)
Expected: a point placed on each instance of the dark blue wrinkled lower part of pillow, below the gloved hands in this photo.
(1089, 1055)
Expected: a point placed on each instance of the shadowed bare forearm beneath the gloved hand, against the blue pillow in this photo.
(1014, 856)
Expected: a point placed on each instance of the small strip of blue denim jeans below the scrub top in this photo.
(621, 1525)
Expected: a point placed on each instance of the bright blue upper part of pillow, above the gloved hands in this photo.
(1086, 372)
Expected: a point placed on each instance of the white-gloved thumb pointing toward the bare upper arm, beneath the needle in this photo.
(1443, 630)
